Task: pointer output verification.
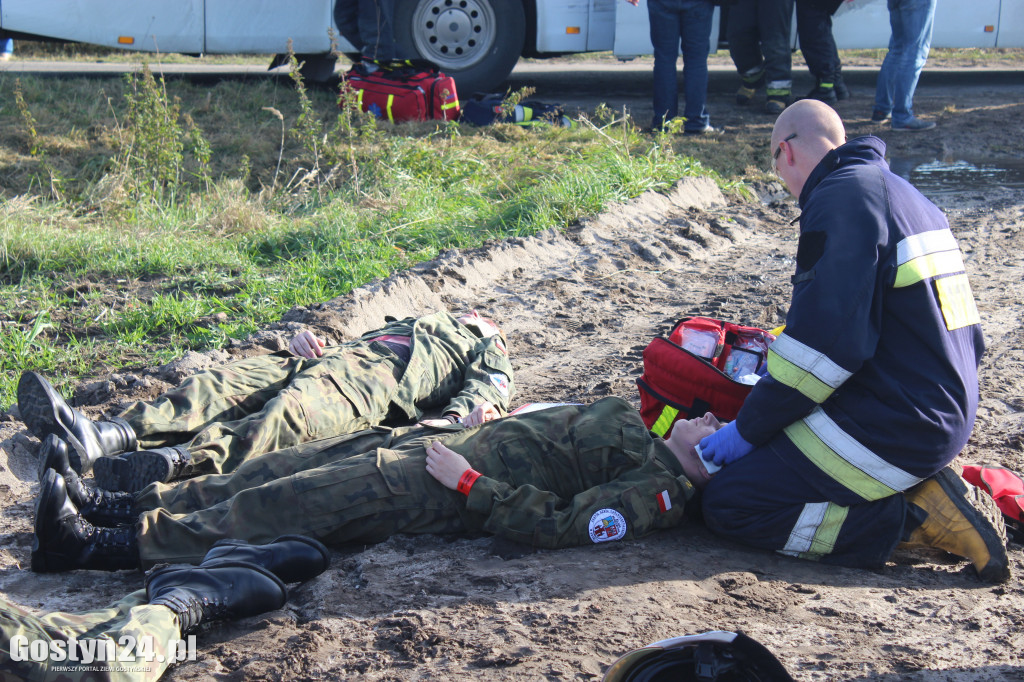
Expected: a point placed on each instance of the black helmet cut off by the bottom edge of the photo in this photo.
(710, 657)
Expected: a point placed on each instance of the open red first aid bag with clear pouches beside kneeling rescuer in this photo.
(706, 365)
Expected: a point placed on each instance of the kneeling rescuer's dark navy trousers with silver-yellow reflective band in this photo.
(763, 502)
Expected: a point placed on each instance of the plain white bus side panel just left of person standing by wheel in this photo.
(264, 27)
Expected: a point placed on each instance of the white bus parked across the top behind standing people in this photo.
(478, 41)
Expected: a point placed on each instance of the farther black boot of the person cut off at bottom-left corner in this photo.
(292, 559)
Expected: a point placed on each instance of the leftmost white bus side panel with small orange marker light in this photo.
(151, 26)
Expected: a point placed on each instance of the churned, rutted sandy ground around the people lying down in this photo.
(580, 307)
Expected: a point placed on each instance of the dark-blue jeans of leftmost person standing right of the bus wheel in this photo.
(687, 23)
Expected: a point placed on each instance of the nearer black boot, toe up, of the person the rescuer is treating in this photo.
(65, 541)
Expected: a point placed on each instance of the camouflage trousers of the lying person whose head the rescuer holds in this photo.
(353, 489)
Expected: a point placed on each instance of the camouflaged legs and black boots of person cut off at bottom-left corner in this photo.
(132, 641)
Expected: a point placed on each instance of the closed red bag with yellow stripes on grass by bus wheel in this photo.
(403, 92)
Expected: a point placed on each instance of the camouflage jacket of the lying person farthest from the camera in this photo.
(450, 368)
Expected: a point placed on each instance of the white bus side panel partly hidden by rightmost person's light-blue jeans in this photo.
(866, 25)
